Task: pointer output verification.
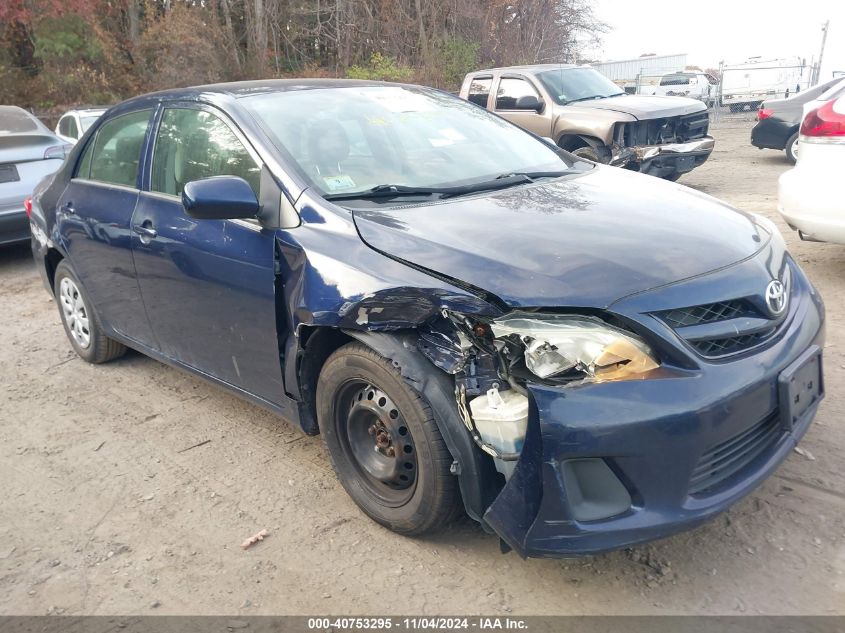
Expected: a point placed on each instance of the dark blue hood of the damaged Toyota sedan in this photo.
(585, 241)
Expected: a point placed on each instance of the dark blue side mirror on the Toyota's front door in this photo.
(219, 198)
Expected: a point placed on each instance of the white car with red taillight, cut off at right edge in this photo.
(810, 195)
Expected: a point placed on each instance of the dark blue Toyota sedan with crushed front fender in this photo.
(579, 357)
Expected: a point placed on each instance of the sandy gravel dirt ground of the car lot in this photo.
(104, 508)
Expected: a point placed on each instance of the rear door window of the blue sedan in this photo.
(115, 152)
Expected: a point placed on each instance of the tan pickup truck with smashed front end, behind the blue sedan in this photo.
(590, 116)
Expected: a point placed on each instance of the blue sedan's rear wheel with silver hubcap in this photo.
(82, 326)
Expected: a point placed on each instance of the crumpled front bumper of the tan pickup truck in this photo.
(666, 159)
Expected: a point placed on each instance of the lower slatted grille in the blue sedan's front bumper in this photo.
(721, 462)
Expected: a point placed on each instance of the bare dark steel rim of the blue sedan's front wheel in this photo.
(375, 434)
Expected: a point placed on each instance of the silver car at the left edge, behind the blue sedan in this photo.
(29, 151)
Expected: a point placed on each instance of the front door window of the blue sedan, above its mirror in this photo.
(195, 144)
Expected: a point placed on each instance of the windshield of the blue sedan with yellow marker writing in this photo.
(355, 139)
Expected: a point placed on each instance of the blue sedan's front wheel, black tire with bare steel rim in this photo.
(384, 443)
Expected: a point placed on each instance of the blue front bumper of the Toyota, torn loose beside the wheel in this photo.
(609, 465)
